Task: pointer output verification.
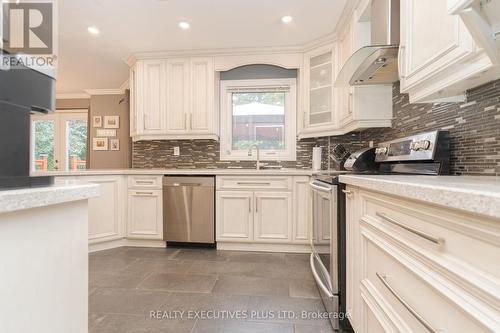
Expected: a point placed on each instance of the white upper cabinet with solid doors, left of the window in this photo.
(173, 99)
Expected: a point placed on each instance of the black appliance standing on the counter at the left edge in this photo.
(23, 91)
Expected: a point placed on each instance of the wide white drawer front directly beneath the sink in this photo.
(260, 183)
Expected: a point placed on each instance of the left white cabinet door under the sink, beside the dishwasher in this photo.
(234, 216)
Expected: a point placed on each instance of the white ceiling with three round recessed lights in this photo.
(129, 26)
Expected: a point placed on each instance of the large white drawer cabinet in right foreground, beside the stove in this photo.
(409, 267)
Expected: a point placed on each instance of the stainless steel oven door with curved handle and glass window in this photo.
(323, 258)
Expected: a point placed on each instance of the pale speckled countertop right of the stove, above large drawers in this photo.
(474, 194)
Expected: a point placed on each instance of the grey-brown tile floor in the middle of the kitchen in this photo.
(127, 284)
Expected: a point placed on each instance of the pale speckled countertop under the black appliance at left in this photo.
(21, 199)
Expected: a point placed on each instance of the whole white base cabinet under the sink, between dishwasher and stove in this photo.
(259, 211)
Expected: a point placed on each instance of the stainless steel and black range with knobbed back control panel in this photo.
(423, 154)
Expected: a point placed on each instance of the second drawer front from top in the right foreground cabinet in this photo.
(410, 294)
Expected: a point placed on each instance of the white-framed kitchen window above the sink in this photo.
(260, 112)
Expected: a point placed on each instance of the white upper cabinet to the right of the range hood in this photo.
(438, 57)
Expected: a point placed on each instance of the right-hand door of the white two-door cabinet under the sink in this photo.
(273, 217)
